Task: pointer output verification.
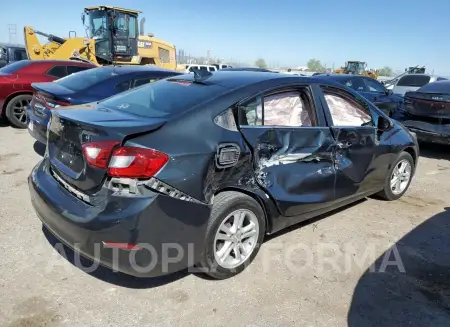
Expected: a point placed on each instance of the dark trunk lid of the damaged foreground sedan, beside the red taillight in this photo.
(70, 129)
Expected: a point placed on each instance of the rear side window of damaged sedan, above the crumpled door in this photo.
(290, 109)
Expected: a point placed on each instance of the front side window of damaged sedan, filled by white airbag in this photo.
(346, 110)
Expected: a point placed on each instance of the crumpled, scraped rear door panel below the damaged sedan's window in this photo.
(295, 166)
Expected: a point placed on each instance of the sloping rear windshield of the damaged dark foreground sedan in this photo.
(164, 97)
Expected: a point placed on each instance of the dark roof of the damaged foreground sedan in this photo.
(238, 79)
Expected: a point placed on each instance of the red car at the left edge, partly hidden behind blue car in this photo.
(16, 79)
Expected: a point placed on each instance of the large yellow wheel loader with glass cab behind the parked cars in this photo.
(112, 38)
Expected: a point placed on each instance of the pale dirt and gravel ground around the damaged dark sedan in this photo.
(316, 274)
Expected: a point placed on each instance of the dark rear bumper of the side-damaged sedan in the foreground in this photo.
(170, 232)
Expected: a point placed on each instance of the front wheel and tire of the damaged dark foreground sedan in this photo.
(399, 178)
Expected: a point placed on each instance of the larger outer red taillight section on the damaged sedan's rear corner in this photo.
(134, 162)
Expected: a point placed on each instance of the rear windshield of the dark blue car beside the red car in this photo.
(86, 79)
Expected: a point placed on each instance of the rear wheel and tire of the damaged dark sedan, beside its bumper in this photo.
(234, 234)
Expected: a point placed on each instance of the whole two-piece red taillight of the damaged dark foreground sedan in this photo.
(126, 161)
